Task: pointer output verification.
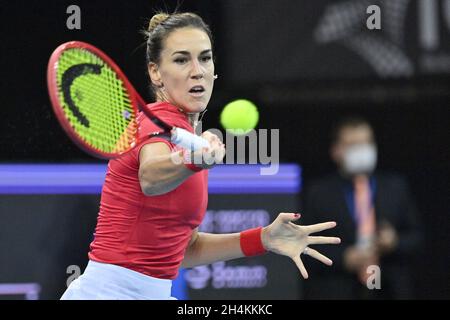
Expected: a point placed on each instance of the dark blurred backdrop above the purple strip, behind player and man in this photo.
(284, 56)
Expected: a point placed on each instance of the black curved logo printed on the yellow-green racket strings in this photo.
(68, 78)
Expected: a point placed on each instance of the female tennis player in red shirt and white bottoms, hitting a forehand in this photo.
(154, 198)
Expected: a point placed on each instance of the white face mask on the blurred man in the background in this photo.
(360, 158)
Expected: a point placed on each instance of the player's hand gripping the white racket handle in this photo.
(207, 158)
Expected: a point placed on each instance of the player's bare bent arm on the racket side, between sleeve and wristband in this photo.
(162, 174)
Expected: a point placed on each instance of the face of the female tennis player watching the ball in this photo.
(187, 69)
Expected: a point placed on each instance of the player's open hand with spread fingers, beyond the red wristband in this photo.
(289, 239)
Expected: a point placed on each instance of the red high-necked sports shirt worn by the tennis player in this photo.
(148, 234)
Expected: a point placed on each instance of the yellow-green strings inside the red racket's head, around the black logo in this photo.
(102, 98)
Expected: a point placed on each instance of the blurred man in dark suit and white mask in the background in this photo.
(376, 220)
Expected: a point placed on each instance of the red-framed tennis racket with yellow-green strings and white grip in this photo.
(98, 107)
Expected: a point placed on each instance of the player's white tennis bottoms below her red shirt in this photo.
(103, 281)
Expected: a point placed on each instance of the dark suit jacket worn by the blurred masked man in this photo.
(325, 200)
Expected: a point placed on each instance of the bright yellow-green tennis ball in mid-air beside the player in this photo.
(239, 116)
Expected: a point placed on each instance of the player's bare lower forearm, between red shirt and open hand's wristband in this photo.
(209, 248)
